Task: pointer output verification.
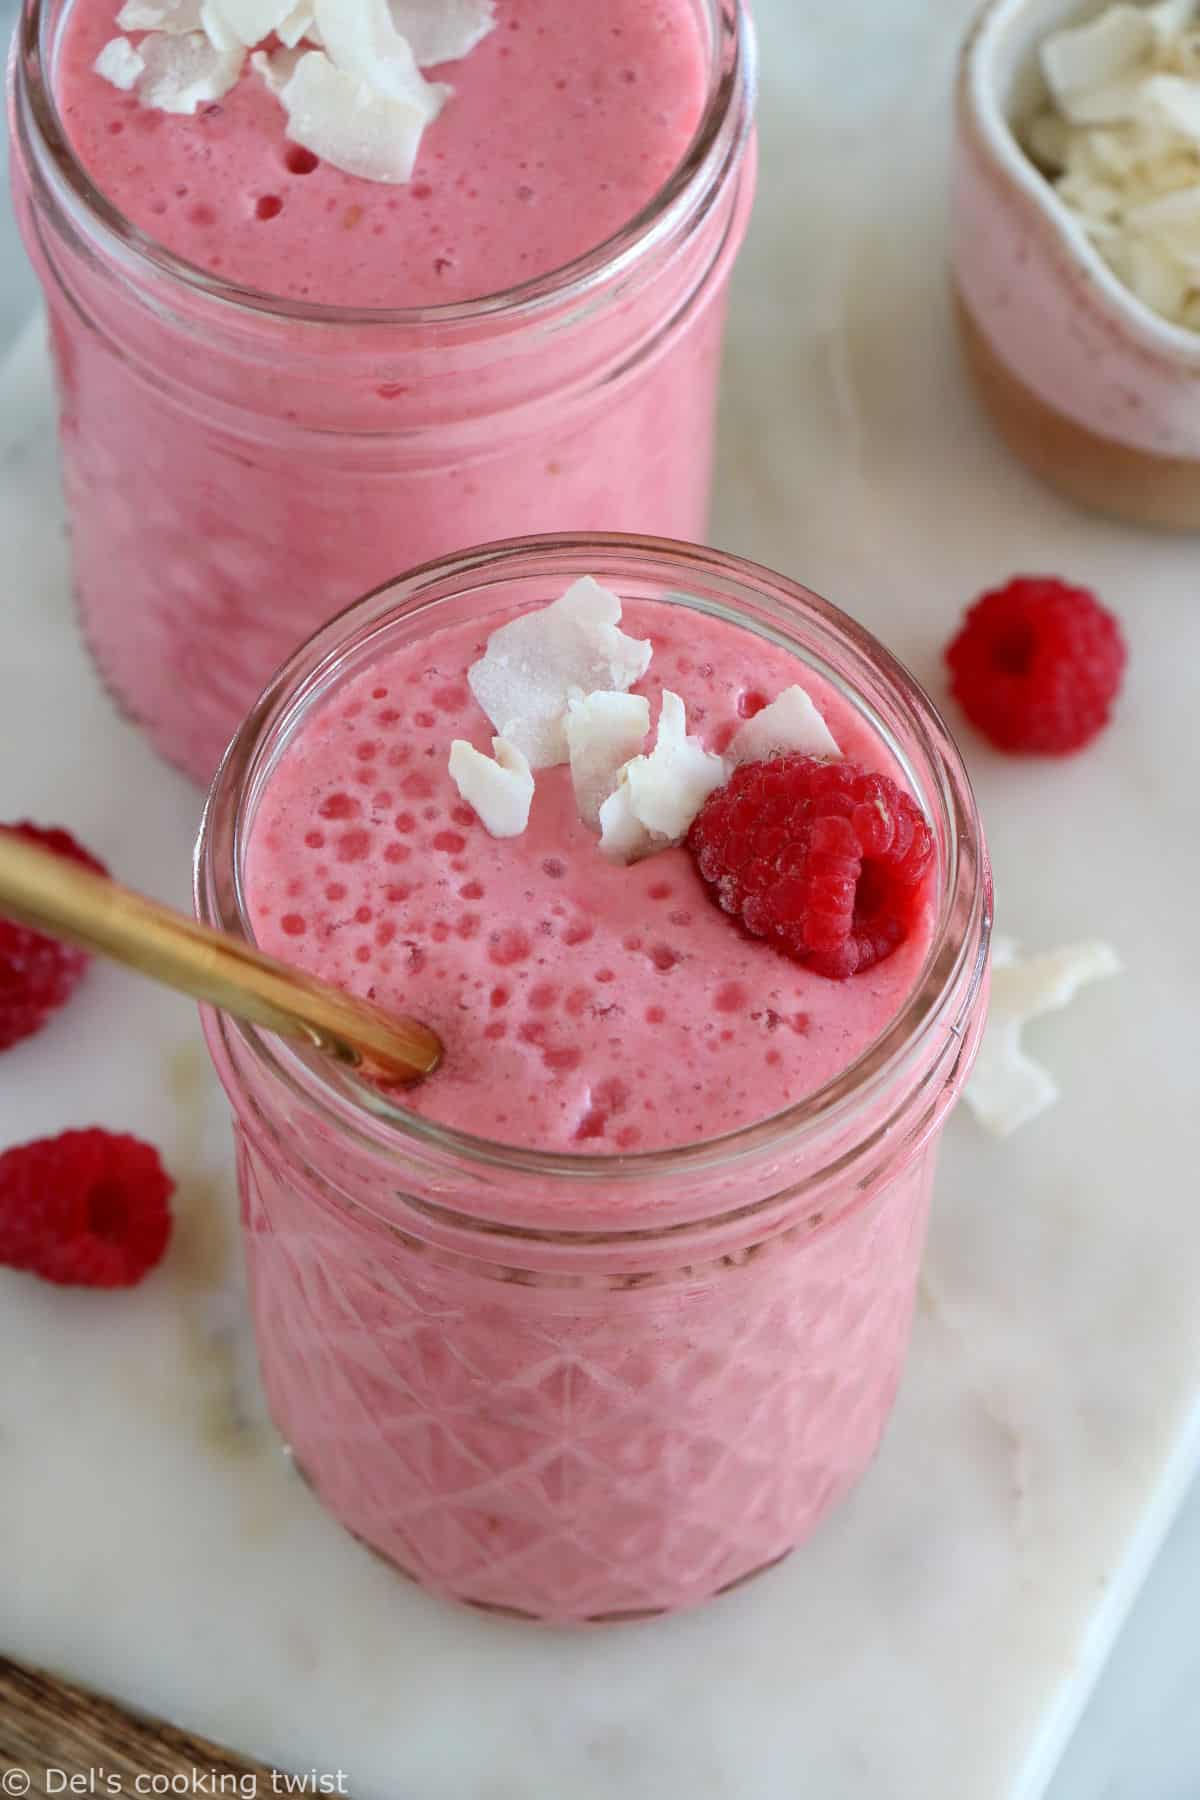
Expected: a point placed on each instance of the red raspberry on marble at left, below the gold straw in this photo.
(87, 1209)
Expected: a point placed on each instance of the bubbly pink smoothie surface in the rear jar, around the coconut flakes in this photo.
(564, 125)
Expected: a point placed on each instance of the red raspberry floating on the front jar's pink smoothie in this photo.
(823, 859)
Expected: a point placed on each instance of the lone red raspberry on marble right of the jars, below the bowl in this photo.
(1037, 667)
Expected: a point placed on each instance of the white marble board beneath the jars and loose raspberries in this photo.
(940, 1637)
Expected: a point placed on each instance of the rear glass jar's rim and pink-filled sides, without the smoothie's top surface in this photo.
(240, 467)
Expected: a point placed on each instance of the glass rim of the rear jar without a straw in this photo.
(713, 154)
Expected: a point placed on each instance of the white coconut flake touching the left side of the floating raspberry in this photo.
(663, 793)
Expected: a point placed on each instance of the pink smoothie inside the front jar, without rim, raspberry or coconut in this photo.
(618, 1425)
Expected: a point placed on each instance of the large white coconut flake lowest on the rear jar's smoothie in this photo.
(346, 121)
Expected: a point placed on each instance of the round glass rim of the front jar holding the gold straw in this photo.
(942, 998)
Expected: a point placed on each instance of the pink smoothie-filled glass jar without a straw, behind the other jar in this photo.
(282, 381)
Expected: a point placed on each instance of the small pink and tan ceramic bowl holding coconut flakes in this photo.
(1091, 388)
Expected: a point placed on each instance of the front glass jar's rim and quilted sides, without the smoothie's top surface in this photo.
(580, 1387)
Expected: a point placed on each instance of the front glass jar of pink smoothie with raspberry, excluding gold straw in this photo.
(613, 1309)
